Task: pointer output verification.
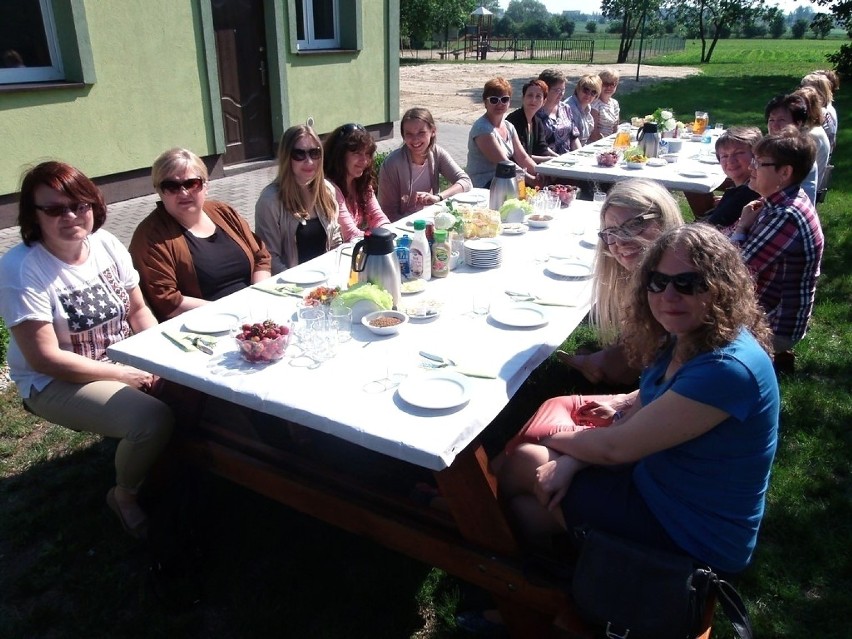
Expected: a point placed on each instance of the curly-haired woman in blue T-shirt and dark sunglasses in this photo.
(683, 463)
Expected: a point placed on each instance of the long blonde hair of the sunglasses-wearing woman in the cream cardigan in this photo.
(290, 192)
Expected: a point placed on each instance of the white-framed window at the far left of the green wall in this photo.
(29, 49)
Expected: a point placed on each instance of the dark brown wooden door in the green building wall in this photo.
(243, 81)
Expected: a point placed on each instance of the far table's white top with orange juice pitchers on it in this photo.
(695, 170)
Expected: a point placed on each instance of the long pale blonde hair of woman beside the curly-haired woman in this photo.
(612, 280)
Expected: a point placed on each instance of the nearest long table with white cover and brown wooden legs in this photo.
(474, 541)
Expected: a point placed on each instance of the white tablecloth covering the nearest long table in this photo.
(332, 397)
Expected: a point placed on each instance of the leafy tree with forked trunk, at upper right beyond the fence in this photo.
(711, 18)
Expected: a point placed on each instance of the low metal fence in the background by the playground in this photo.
(581, 51)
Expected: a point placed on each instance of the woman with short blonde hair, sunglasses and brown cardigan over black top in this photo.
(190, 250)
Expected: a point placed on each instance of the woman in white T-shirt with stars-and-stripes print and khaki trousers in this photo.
(66, 293)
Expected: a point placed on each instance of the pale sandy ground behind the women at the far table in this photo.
(453, 92)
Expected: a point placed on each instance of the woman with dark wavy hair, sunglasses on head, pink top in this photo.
(348, 163)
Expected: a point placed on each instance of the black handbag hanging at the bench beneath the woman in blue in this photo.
(634, 591)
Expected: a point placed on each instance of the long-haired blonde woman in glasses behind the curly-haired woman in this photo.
(633, 215)
